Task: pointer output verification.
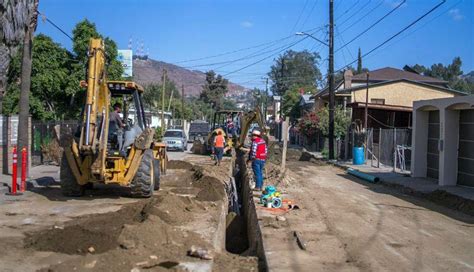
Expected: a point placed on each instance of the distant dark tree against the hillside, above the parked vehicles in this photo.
(214, 90)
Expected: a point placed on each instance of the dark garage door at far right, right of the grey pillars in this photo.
(466, 148)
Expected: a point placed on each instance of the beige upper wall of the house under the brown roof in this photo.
(400, 93)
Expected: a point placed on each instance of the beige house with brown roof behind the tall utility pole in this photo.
(390, 94)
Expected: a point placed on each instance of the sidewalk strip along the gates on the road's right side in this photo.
(455, 197)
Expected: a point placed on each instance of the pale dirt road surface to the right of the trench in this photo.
(351, 225)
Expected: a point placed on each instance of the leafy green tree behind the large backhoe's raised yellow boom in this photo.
(56, 73)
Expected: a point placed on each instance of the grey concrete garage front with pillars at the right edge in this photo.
(443, 140)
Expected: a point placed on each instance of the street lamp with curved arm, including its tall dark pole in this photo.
(330, 78)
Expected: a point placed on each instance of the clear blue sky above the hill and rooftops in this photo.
(179, 30)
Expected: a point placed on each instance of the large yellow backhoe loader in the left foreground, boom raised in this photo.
(101, 152)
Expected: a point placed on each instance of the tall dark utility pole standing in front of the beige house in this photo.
(331, 79)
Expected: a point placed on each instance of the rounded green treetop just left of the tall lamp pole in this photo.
(294, 68)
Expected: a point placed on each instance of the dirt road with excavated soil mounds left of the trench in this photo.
(108, 231)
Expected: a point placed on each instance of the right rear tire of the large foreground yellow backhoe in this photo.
(142, 184)
